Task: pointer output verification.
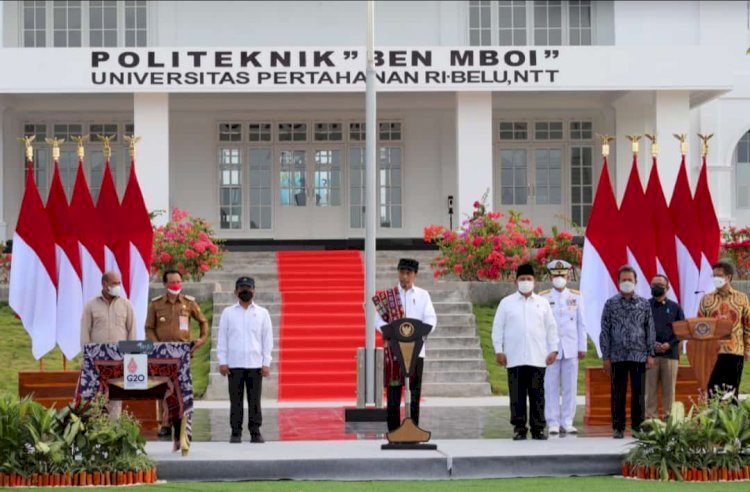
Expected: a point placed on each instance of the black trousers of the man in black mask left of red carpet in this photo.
(239, 380)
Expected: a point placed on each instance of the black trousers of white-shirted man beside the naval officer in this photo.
(527, 382)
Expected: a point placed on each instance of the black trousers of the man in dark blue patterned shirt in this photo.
(620, 373)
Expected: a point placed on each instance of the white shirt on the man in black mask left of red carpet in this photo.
(245, 337)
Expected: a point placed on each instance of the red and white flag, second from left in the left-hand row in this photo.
(69, 288)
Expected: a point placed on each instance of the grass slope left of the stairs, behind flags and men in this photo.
(15, 353)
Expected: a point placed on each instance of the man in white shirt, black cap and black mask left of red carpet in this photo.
(244, 352)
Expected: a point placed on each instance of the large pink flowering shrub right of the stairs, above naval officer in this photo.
(486, 247)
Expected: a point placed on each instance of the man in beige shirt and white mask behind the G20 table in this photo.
(108, 318)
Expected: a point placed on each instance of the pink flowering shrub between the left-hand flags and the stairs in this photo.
(185, 244)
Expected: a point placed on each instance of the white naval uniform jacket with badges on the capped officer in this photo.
(567, 307)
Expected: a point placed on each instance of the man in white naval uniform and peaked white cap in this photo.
(567, 307)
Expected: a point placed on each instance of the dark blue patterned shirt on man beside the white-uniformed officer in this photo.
(627, 329)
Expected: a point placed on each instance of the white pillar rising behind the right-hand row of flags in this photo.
(672, 116)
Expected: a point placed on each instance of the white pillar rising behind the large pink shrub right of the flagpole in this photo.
(473, 151)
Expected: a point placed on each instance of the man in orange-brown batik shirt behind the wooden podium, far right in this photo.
(729, 304)
